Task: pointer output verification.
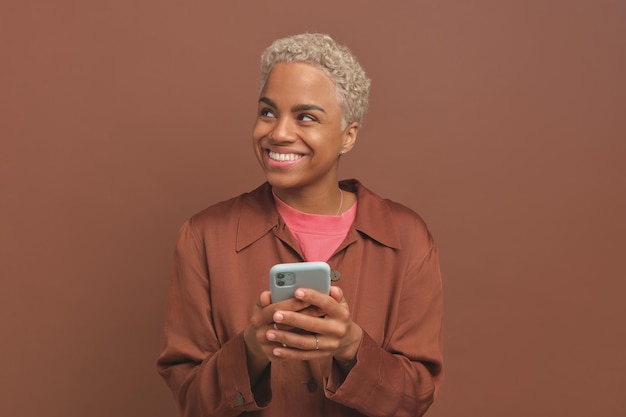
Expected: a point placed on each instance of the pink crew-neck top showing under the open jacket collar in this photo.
(317, 235)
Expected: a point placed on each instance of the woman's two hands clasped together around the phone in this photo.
(326, 316)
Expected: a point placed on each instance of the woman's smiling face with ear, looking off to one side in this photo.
(298, 135)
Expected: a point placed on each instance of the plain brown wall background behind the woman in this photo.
(501, 122)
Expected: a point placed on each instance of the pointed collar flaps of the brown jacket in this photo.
(258, 216)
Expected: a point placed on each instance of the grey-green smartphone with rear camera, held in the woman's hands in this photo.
(286, 278)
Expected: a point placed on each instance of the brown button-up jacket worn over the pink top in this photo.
(390, 277)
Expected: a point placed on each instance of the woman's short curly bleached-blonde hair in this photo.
(337, 62)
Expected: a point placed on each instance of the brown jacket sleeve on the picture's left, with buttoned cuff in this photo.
(205, 376)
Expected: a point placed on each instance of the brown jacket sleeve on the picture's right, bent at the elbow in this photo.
(401, 378)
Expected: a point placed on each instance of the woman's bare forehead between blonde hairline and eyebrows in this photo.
(299, 83)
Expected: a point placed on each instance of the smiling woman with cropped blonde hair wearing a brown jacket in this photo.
(373, 345)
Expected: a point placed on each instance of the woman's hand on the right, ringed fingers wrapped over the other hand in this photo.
(333, 335)
